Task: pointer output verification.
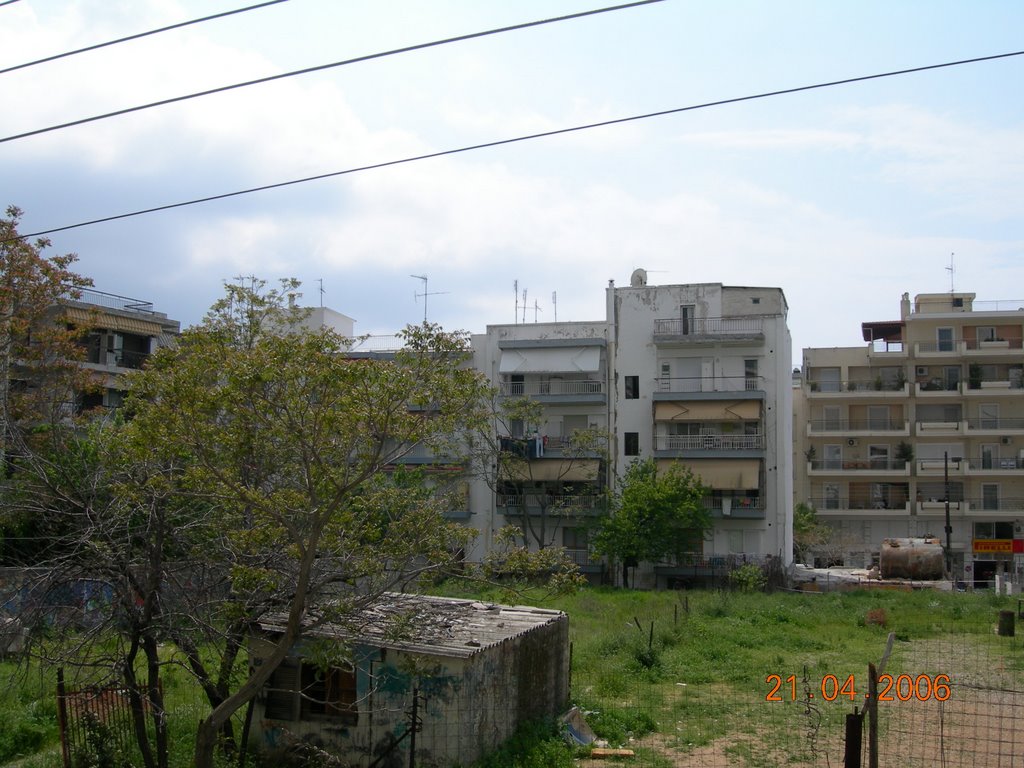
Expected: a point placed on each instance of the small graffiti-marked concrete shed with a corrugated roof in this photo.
(466, 674)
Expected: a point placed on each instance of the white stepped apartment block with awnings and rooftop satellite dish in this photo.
(698, 374)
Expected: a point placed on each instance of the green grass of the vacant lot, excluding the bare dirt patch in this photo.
(663, 672)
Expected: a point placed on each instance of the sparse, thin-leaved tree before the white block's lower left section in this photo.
(543, 494)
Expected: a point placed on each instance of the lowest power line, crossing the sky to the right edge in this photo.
(528, 138)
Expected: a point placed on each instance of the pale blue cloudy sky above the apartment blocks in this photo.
(844, 197)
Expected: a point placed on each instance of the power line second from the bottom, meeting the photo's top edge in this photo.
(321, 68)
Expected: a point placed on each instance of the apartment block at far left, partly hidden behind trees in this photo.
(123, 333)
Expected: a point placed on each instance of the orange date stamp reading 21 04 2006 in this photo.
(831, 688)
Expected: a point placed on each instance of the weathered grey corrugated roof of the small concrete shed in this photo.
(435, 626)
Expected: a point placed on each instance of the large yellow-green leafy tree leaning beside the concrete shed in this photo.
(293, 445)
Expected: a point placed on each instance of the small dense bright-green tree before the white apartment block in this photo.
(655, 516)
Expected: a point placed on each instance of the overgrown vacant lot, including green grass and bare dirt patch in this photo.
(682, 679)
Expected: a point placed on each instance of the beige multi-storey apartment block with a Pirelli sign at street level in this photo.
(928, 415)
